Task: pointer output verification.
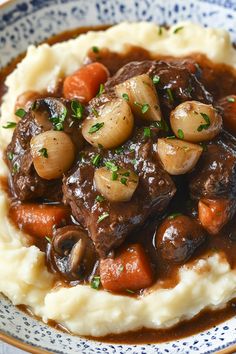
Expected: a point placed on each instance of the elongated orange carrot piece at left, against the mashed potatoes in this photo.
(38, 220)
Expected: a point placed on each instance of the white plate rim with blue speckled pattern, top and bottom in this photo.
(25, 22)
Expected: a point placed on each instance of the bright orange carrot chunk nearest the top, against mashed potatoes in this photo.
(84, 83)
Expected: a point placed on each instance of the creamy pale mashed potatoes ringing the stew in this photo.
(24, 277)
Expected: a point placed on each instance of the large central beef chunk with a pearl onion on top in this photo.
(152, 195)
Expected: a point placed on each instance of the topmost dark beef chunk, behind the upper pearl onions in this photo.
(177, 84)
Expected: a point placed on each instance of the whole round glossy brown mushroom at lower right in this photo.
(178, 237)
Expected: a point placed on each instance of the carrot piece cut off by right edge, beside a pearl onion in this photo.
(229, 113)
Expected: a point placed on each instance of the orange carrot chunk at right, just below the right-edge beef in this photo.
(214, 214)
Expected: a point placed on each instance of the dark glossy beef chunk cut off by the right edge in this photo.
(215, 174)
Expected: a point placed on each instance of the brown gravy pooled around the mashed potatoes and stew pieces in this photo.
(225, 241)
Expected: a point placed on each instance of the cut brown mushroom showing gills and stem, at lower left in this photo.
(73, 251)
